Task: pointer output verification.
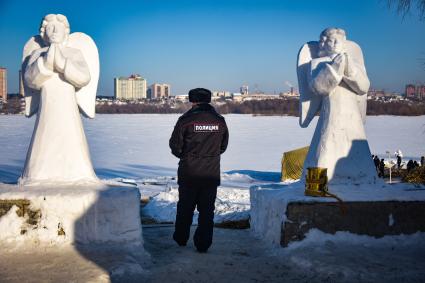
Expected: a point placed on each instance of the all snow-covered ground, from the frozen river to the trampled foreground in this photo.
(133, 149)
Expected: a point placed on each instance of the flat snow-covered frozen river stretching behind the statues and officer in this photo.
(136, 145)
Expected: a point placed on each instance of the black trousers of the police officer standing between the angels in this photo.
(201, 196)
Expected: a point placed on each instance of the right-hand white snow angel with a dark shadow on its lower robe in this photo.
(332, 79)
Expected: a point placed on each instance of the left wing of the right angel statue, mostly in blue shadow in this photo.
(309, 102)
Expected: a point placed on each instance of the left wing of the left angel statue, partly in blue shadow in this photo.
(32, 96)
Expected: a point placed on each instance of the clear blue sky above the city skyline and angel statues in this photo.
(218, 44)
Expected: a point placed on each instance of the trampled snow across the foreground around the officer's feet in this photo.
(235, 256)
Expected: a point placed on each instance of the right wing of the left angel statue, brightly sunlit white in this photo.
(86, 96)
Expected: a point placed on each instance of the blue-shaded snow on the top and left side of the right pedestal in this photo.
(269, 202)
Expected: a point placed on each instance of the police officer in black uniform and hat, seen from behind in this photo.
(199, 138)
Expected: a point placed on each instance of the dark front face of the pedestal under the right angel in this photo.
(372, 218)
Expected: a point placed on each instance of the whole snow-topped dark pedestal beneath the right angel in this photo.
(281, 214)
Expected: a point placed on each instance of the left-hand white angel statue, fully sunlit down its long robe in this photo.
(60, 72)
